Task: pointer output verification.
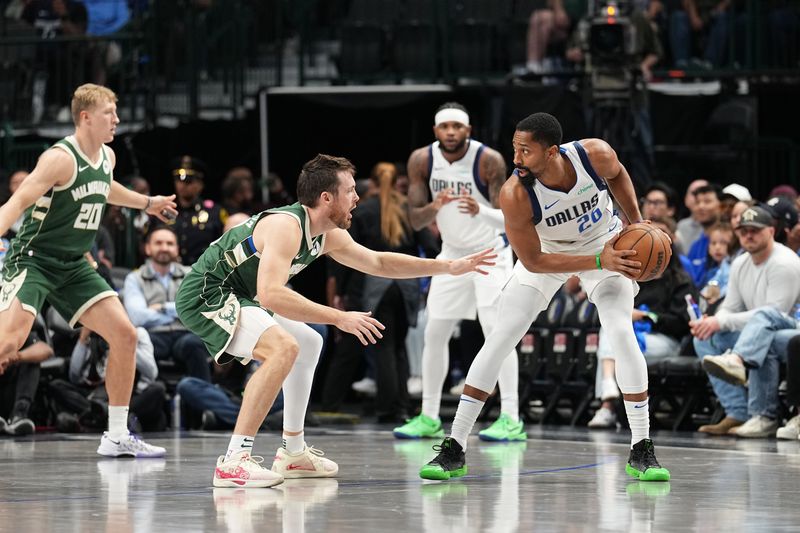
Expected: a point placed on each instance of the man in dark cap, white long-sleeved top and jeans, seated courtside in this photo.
(768, 274)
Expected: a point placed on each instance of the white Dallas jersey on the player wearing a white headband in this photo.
(460, 230)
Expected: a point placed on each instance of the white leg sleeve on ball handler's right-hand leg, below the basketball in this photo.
(614, 300)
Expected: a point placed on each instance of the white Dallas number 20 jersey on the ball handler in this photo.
(581, 218)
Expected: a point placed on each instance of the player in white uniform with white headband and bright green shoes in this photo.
(464, 178)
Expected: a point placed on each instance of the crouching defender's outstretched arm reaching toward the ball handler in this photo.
(341, 247)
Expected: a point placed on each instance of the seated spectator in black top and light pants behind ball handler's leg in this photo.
(660, 322)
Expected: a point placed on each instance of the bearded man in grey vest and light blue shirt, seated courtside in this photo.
(149, 299)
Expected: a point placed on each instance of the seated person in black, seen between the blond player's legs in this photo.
(19, 383)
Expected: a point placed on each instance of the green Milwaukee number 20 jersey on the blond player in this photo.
(64, 221)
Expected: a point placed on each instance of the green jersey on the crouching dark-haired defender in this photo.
(232, 260)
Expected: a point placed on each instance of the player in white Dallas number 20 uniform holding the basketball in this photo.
(559, 219)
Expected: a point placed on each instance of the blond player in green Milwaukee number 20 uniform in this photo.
(63, 200)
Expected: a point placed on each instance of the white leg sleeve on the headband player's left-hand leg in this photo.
(435, 362)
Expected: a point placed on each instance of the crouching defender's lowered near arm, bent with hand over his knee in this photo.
(278, 237)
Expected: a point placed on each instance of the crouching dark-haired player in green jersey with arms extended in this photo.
(236, 299)
